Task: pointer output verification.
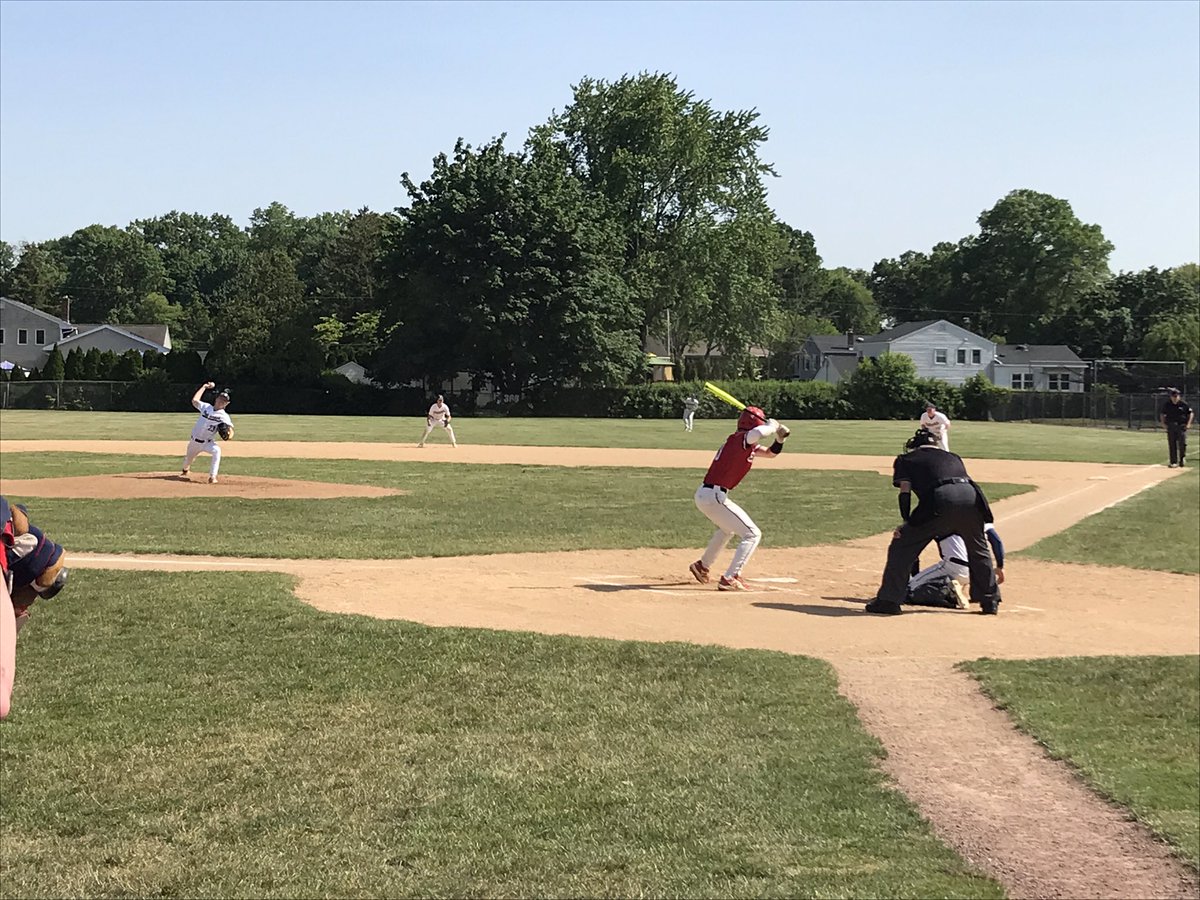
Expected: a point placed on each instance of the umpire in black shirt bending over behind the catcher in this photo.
(950, 503)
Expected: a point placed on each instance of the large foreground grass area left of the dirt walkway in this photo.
(177, 735)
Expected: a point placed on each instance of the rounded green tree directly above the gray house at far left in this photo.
(109, 268)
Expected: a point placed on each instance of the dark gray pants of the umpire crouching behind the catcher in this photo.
(958, 513)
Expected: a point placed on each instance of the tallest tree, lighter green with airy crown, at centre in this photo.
(667, 166)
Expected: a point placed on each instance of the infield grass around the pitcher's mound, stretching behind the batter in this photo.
(454, 509)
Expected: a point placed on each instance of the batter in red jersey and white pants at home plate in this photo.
(729, 467)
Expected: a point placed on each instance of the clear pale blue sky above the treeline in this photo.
(893, 125)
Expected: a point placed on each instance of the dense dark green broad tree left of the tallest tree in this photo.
(505, 267)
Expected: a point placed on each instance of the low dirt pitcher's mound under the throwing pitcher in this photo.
(142, 485)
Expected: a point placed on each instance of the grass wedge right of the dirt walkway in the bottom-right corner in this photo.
(1130, 725)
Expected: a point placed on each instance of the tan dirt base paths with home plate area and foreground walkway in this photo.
(989, 791)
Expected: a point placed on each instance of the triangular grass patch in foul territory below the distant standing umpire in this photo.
(1159, 530)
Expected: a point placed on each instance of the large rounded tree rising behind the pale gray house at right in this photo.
(1031, 263)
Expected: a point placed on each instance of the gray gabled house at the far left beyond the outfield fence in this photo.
(28, 335)
